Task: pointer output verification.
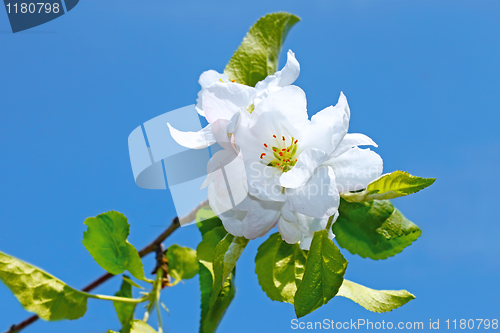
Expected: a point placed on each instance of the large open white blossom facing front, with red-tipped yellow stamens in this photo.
(301, 165)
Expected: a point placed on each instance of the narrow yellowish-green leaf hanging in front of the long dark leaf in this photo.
(225, 256)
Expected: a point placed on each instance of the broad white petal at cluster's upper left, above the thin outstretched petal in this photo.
(223, 100)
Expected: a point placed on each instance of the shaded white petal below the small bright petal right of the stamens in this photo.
(318, 198)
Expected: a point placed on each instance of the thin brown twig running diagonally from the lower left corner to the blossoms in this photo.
(151, 247)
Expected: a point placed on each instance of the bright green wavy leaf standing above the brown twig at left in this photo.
(106, 240)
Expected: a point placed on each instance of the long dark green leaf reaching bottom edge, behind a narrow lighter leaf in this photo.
(211, 315)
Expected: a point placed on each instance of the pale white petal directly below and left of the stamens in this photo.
(263, 182)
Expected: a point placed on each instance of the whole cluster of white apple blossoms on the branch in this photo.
(283, 168)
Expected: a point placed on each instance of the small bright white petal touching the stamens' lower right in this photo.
(307, 163)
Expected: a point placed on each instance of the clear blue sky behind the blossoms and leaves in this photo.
(421, 77)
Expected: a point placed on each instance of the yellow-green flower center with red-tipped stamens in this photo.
(282, 155)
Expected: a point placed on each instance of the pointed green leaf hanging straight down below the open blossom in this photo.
(325, 268)
